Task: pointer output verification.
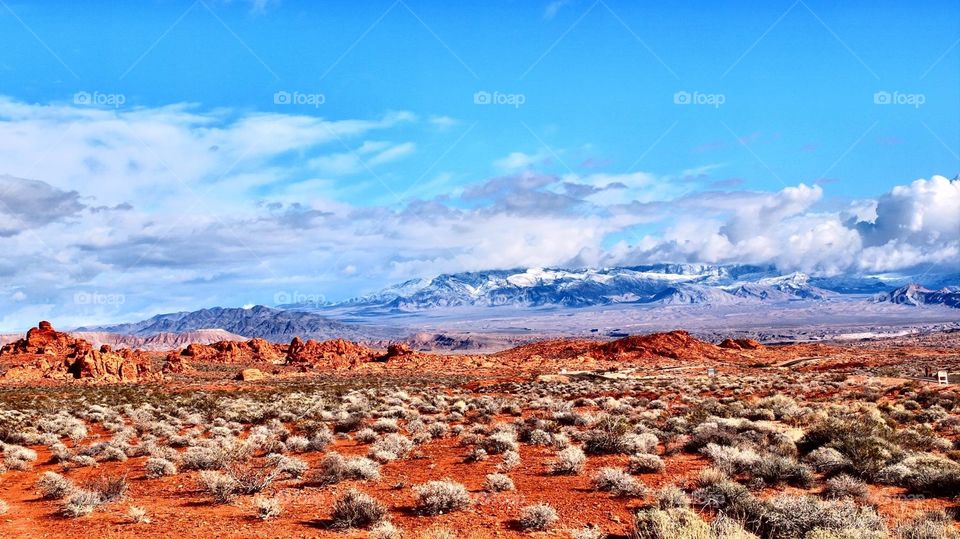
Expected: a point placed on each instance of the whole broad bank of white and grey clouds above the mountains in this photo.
(174, 208)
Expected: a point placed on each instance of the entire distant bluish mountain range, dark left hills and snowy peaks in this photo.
(538, 288)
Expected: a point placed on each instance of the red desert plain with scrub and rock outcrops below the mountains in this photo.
(659, 435)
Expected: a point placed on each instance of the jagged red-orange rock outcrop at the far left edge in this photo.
(47, 353)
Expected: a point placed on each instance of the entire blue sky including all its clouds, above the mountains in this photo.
(780, 123)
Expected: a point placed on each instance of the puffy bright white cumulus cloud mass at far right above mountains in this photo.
(911, 226)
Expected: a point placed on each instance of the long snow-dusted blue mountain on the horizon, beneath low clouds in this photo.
(541, 287)
